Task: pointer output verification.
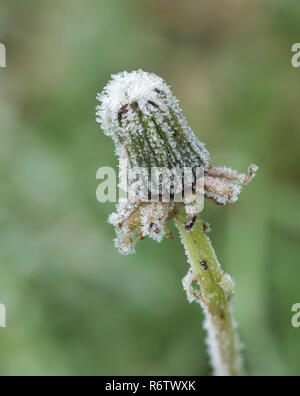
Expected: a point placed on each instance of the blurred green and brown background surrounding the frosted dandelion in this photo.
(74, 305)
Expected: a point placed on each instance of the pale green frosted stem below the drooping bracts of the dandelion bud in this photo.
(216, 290)
